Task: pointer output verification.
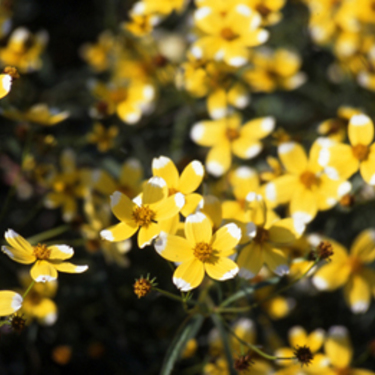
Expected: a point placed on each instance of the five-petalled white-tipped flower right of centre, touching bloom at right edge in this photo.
(304, 184)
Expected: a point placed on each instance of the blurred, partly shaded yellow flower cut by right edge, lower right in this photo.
(350, 271)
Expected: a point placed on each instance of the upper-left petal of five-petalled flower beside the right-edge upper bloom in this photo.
(293, 157)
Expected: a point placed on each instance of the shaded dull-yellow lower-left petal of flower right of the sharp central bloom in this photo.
(250, 260)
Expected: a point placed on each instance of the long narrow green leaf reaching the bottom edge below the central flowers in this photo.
(187, 331)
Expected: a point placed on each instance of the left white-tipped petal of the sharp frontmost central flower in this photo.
(173, 248)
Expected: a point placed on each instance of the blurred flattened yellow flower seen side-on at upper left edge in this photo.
(38, 114)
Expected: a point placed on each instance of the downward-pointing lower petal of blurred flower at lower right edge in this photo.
(357, 294)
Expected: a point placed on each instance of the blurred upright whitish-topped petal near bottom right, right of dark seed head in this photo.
(338, 347)
